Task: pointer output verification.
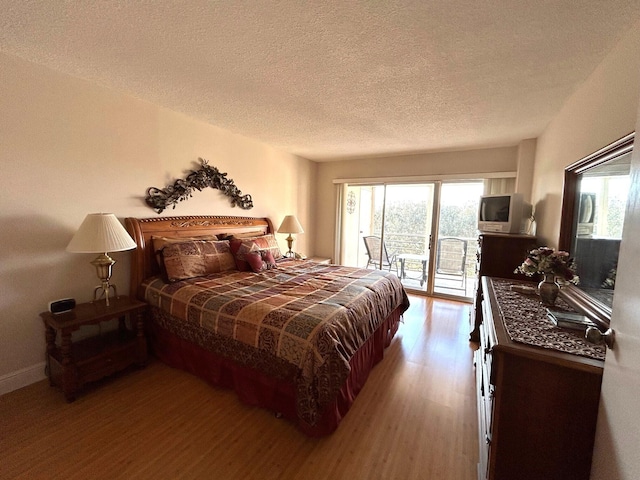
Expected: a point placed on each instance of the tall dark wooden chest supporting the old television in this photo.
(498, 255)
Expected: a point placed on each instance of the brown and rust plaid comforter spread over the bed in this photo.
(302, 319)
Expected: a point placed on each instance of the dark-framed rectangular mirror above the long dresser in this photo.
(593, 207)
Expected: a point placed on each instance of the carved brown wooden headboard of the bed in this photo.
(143, 262)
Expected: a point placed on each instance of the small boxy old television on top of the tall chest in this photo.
(504, 213)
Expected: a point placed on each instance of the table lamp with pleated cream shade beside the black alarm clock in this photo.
(101, 233)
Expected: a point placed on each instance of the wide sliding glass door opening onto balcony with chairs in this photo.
(423, 232)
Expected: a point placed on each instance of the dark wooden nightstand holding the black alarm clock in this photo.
(72, 364)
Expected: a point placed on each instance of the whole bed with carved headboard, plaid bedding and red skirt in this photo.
(293, 336)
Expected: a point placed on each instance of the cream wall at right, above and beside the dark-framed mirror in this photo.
(602, 110)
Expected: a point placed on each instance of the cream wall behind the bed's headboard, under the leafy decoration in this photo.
(68, 148)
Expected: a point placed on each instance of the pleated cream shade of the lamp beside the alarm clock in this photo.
(101, 233)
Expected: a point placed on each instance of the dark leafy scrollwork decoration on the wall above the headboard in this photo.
(182, 189)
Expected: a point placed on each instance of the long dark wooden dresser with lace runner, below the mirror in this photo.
(538, 390)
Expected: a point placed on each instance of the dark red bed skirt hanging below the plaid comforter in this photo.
(256, 388)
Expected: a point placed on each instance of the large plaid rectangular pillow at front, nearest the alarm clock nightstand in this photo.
(196, 259)
